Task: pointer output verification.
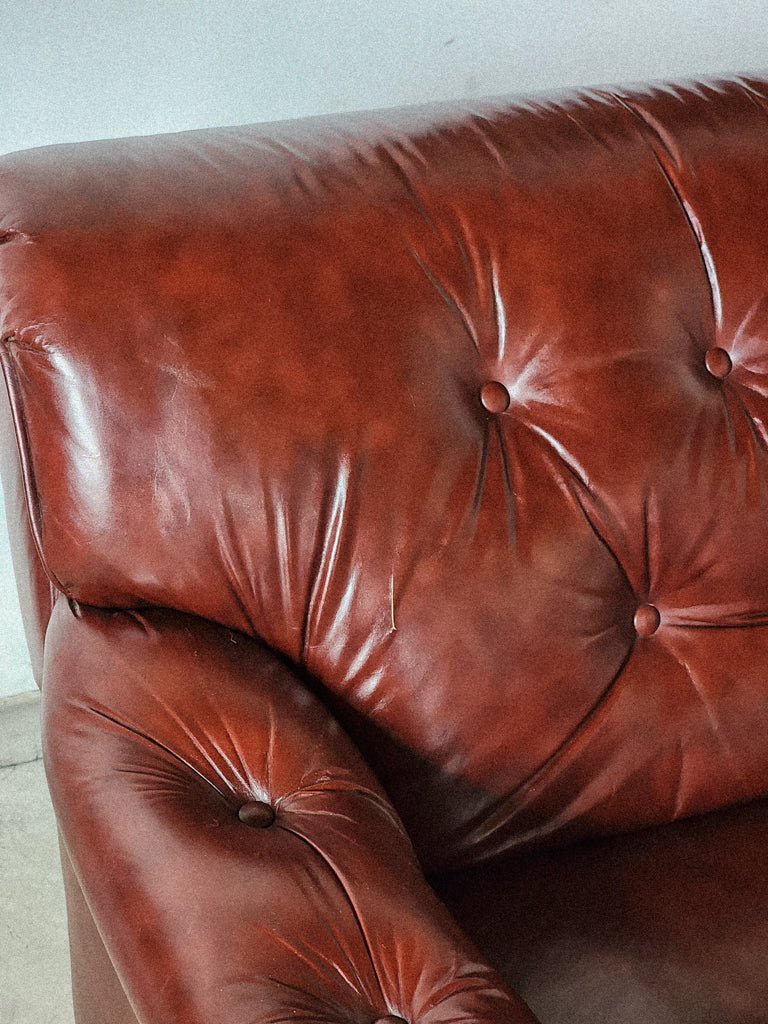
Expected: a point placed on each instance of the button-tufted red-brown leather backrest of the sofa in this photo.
(461, 410)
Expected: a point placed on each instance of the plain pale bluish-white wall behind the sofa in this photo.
(89, 69)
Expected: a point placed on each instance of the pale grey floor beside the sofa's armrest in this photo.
(34, 960)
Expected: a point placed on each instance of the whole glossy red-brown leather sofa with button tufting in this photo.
(390, 501)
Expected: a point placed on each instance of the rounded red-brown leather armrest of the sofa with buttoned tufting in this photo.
(241, 862)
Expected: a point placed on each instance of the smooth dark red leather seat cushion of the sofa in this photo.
(667, 925)
